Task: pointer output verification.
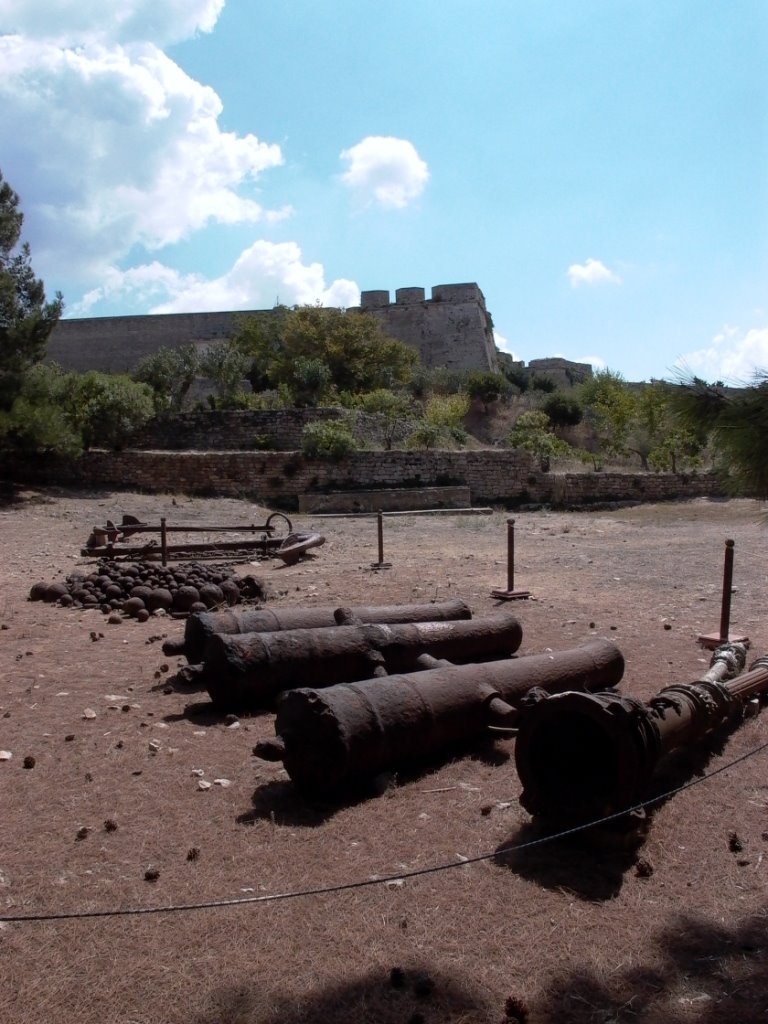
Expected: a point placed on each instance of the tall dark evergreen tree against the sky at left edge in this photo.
(26, 319)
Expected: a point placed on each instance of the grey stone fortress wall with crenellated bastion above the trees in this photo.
(452, 329)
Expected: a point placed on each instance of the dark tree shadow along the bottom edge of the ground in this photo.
(694, 972)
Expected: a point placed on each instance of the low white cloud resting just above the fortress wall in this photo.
(263, 275)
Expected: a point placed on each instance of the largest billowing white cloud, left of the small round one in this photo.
(115, 147)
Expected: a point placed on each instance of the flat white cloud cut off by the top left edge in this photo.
(75, 23)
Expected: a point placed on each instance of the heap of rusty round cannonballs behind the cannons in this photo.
(139, 589)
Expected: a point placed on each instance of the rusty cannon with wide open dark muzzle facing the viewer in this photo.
(583, 757)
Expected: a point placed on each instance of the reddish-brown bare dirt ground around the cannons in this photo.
(559, 934)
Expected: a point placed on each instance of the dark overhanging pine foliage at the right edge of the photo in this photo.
(737, 422)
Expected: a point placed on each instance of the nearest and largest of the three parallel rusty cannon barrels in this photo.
(331, 739)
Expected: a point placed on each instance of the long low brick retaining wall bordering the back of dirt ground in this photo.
(501, 478)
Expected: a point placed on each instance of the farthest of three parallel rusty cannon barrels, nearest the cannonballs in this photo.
(234, 621)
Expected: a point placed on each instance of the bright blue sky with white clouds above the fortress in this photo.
(601, 169)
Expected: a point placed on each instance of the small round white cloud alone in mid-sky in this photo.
(386, 170)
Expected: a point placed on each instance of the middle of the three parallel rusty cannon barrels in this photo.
(248, 671)
